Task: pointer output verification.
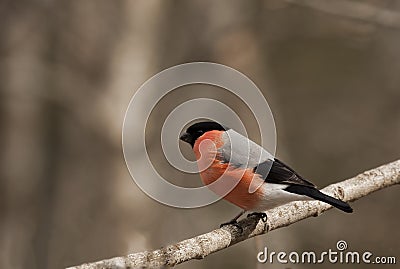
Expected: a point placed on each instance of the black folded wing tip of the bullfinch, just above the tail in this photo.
(279, 173)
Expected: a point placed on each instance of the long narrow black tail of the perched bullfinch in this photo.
(316, 194)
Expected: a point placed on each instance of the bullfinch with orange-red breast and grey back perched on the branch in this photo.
(239, 159)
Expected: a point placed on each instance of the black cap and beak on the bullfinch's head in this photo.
(196, 130)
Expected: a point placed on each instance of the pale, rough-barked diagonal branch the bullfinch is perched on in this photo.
(203, 245)
